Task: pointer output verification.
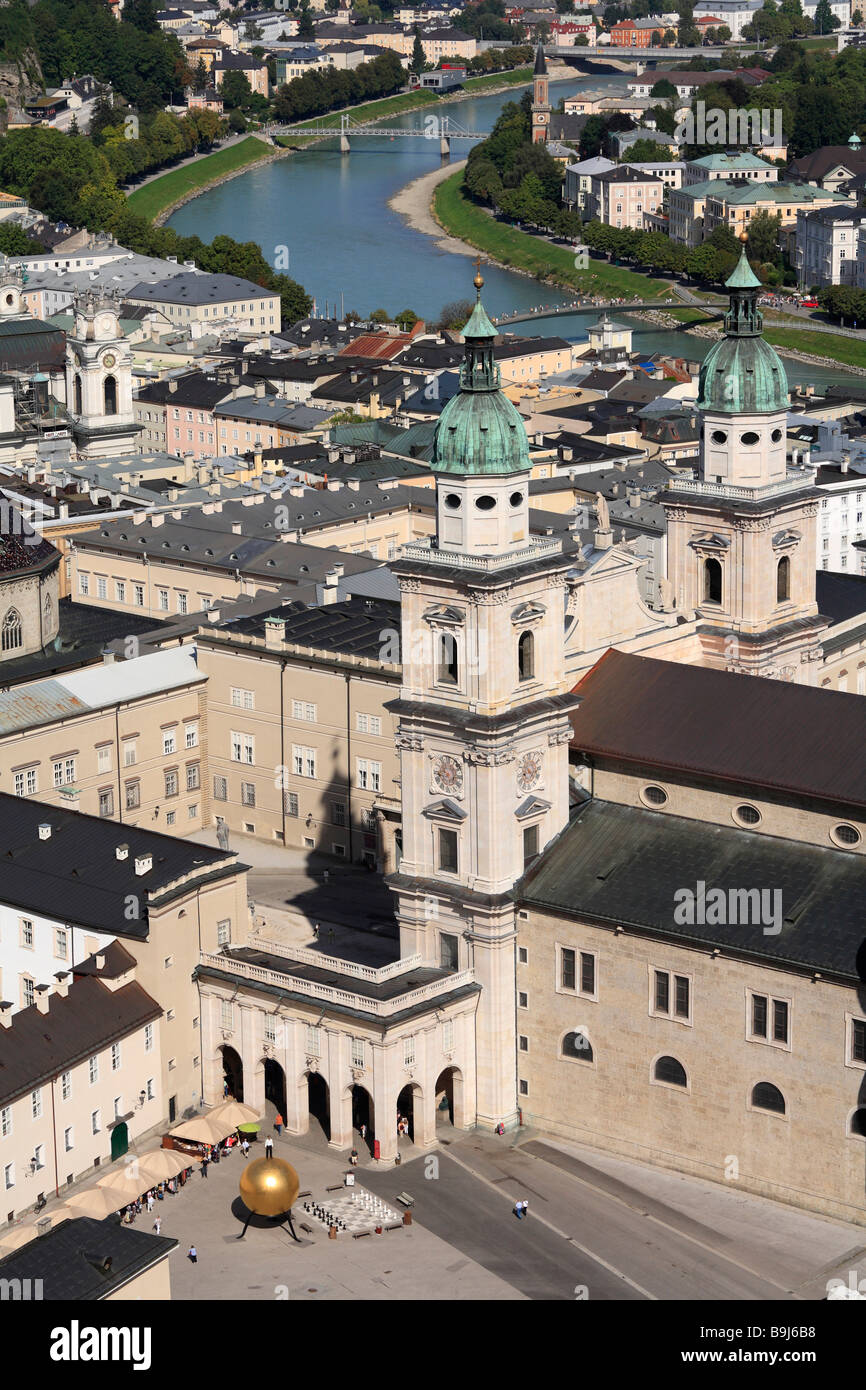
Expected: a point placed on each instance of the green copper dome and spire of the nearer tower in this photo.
(480, 432)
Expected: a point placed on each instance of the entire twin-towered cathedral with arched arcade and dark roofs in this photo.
(558, 810)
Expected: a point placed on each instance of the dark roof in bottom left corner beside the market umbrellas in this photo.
(70, 1259)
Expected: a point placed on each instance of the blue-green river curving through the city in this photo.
(330, 213)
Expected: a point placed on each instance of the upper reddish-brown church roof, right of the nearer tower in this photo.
(755, 732)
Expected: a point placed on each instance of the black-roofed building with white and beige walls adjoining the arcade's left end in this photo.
(165, 899)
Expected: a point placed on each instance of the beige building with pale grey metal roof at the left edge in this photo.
(124, 742)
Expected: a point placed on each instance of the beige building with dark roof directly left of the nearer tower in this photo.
(302, 746)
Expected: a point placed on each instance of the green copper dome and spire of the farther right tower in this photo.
(742, 375)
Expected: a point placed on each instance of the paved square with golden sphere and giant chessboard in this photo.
(600, 1229)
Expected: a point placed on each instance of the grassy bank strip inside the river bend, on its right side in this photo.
(519, 251)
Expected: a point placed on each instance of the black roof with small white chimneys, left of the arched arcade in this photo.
(76, 875)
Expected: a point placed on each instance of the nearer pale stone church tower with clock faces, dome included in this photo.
(483, 714)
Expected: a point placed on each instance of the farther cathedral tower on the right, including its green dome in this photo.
(742, 539)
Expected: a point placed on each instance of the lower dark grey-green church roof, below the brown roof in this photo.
(625, 865)
